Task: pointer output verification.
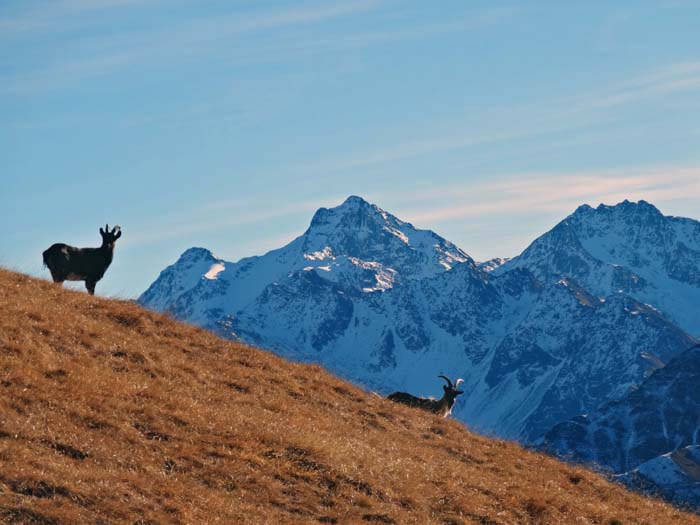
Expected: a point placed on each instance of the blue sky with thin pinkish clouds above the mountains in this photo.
(227, 124)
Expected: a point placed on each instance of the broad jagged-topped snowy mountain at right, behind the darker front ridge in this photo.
(630, 248)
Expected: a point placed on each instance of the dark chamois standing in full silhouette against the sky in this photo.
(68, 263)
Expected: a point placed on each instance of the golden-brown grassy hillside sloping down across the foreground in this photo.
(112, 414)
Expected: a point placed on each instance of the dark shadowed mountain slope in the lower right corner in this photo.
(651, 435)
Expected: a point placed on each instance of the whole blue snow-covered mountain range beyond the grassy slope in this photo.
(583, 317)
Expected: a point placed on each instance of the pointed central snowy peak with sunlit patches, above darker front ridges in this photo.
(355, 245)
